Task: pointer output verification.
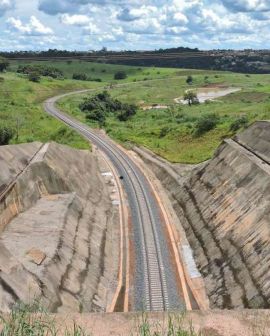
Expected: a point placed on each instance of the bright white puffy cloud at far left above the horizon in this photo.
(34, 27)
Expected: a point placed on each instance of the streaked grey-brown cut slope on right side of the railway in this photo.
(224, 207)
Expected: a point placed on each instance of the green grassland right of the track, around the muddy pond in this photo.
(170, 132)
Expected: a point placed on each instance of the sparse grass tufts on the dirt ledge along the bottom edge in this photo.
(34, 320)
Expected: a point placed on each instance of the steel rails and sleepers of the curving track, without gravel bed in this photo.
(156, 292)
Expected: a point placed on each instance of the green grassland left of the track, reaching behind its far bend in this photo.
(21, 100)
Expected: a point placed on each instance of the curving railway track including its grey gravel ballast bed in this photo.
(155, 283)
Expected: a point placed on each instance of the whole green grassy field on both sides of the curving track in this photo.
(168, 132)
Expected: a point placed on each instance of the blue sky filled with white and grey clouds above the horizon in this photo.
(134, 24)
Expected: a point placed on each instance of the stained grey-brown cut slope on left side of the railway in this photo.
(58, 229)
